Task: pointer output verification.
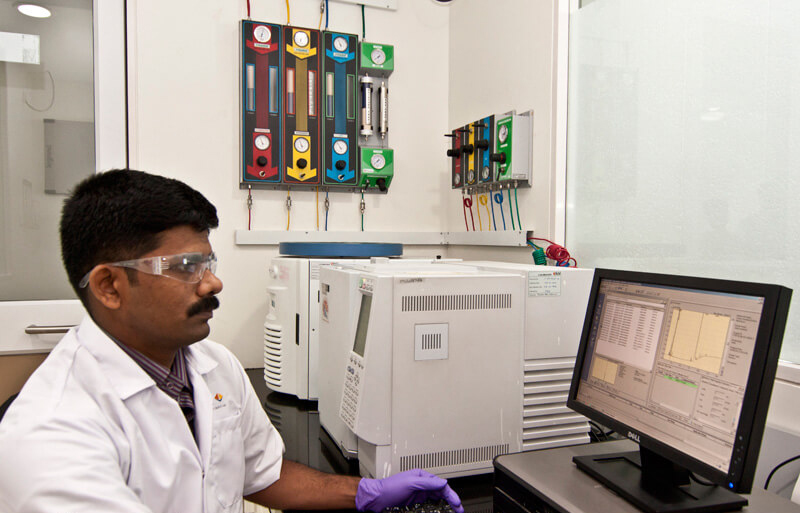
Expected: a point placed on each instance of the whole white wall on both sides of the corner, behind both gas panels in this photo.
(184, 97)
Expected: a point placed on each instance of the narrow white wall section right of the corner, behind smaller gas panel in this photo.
(503, 56)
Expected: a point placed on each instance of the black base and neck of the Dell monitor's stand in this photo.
(656, 485)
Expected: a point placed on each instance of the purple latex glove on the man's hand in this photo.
(409, 487)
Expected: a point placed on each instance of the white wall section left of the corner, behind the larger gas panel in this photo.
(184, 99)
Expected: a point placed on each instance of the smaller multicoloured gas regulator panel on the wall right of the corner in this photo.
(492, 152)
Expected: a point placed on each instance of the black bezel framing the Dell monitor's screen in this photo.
(763, 367)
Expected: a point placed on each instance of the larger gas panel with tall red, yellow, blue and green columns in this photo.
(314, 110)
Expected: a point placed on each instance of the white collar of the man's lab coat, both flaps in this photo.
(125, 375)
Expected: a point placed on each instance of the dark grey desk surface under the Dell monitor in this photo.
(551, 476)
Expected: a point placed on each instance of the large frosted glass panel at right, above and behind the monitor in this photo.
(683, 140)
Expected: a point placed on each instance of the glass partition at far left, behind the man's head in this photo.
(46, 139)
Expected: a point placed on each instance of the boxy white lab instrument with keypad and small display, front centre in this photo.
(437, 338)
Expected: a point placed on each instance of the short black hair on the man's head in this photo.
(120, 214)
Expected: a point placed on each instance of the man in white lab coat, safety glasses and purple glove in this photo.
(134, 410)
